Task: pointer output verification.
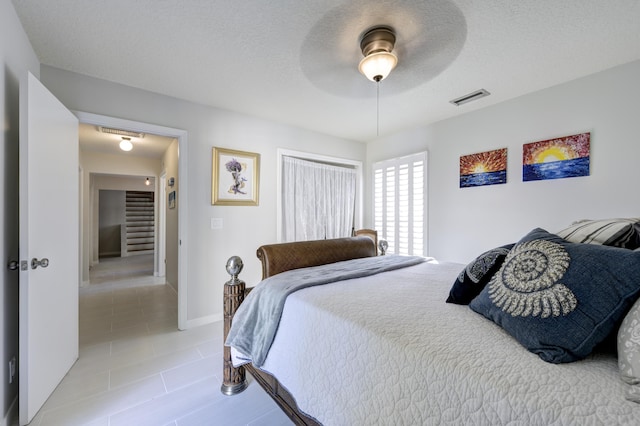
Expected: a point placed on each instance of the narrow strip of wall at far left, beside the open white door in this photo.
(16, 58)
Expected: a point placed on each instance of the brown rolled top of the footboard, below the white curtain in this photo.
(282, 257)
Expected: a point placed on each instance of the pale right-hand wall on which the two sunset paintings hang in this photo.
(465, 222)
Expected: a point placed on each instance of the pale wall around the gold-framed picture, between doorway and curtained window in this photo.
(244, 227)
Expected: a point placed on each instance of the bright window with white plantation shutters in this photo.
(399, 203)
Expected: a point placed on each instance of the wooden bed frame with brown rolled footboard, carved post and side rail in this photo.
(277, 258)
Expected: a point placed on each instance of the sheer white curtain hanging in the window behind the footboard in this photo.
(318, 200)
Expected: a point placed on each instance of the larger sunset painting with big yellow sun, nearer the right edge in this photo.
(556, 158)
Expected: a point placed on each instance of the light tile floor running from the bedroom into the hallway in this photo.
(136, 368)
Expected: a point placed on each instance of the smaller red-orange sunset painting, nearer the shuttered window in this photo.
(485, 168)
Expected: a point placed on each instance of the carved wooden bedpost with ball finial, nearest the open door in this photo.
(234, 379)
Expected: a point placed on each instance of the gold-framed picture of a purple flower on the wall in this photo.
(235, 177)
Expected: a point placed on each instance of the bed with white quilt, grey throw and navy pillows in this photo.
(385, 348)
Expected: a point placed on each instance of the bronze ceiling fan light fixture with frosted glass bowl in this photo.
(379, 60)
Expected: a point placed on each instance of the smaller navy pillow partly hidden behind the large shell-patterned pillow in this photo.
(476, 275)
